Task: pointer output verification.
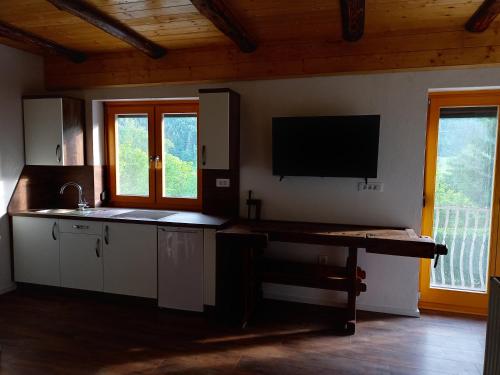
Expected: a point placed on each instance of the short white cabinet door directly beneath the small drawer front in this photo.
(81, 261)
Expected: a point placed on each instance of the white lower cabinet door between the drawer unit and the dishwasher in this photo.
(130, 259)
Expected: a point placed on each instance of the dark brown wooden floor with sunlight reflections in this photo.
(49, 333)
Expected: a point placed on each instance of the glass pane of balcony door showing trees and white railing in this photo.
(463, 196)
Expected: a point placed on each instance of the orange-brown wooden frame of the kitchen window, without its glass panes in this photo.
(155, 111)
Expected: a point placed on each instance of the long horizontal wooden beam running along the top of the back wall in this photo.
(391, 52)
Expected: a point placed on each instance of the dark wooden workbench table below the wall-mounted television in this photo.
(242, 267)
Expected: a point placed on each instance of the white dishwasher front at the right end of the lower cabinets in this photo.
(180, 268)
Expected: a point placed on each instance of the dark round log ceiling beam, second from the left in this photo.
(110, 25)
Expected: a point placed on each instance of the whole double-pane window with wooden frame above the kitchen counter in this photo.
(153, 154)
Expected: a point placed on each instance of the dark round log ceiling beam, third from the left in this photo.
(223, 19)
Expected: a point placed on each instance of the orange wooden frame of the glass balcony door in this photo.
(455, 300)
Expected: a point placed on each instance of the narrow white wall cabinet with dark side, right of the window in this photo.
(219, 128)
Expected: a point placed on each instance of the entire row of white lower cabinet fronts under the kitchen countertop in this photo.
(174, 264)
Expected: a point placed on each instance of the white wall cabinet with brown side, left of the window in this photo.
(54, 131)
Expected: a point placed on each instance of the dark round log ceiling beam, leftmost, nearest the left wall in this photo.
(14, 33)
